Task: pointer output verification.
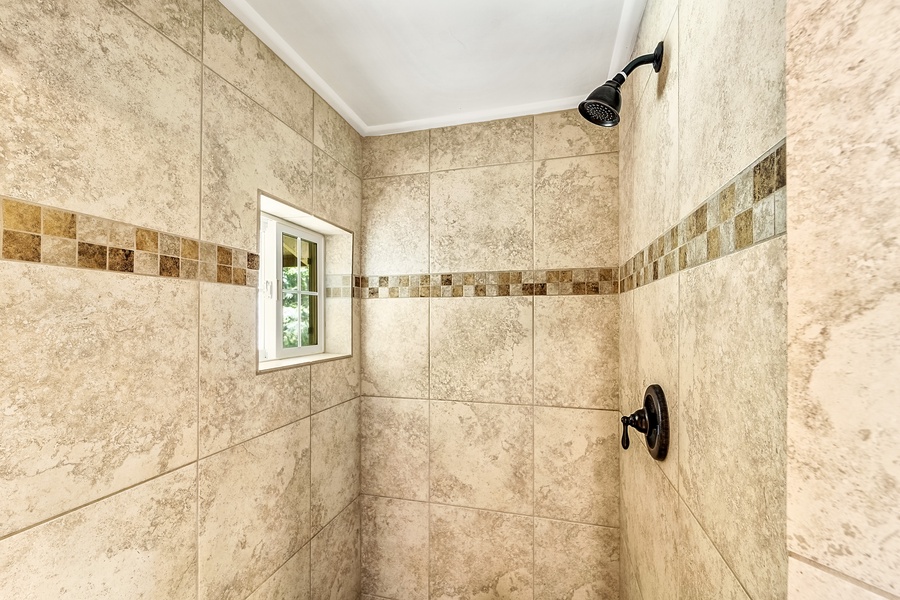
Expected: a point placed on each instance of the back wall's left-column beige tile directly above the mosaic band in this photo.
(395, 225)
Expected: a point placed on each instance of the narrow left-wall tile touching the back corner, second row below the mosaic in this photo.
(335, 462)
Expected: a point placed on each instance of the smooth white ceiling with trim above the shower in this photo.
(401, 65)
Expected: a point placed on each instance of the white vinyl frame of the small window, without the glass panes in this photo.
(271, 289)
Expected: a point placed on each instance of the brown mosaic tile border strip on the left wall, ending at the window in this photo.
(37, 233)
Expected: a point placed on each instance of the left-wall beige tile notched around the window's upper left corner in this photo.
(246, 150)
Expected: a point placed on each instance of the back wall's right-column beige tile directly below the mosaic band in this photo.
(576, 351)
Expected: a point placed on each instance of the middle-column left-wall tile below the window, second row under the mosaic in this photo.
(254, 510)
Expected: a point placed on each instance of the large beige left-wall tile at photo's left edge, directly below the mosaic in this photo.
(85, 355)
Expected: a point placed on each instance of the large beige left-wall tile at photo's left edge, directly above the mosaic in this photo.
(99, 114)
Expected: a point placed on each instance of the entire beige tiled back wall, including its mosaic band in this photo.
(489, 430)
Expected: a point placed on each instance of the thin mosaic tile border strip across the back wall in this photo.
(563, 282)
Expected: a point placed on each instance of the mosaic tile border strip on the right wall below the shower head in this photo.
(749, 209)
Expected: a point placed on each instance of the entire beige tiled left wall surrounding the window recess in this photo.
(142, 454)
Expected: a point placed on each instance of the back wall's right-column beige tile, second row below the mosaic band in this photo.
(576, 465)
